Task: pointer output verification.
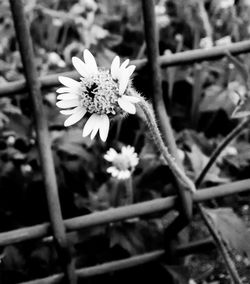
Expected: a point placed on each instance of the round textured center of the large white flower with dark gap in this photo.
(99, 93)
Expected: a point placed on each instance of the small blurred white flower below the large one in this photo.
(123, 163)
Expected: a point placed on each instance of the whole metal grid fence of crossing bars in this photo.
(58, 228)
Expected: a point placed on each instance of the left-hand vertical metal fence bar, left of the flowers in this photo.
(48, 170)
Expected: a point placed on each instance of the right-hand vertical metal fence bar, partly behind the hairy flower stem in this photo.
(151, 37)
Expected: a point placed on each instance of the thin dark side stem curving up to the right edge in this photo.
(233, 134)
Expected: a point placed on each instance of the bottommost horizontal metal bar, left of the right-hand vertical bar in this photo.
(104, 268)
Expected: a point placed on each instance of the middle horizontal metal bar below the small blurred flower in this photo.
(122, 213)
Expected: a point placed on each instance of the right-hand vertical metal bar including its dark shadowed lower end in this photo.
(151, 35)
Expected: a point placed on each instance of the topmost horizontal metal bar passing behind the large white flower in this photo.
(180, 58)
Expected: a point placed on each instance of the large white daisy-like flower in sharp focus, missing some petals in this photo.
(100, 93)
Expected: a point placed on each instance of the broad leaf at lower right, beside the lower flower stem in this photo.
(231, 229)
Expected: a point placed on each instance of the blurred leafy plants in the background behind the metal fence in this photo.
(199, 98)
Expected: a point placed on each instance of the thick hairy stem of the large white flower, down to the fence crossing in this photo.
(157, 139)
